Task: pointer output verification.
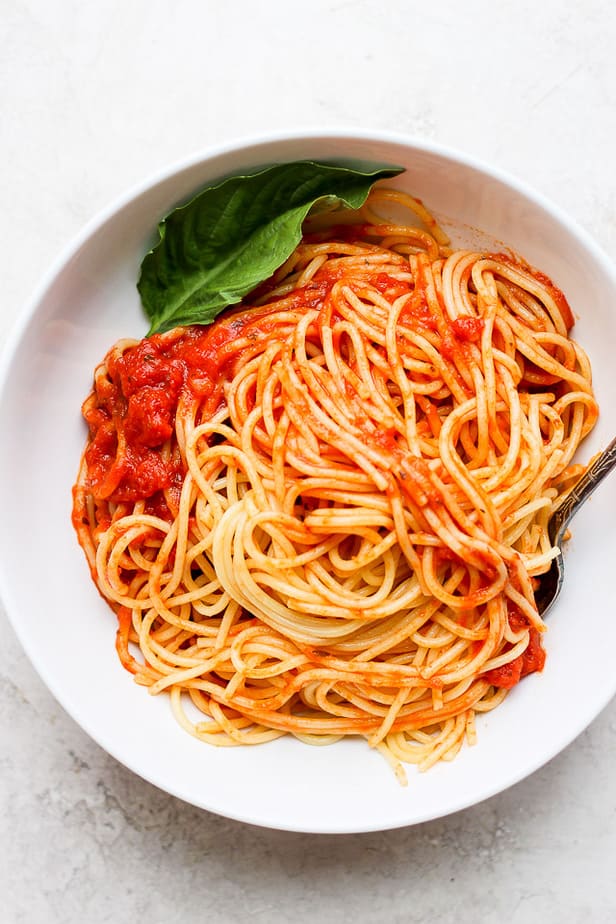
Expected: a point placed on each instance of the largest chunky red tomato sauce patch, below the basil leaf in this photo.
(132, 410)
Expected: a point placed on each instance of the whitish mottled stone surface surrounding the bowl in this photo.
(95, 96)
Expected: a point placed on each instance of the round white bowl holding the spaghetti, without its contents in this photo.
(89, 300)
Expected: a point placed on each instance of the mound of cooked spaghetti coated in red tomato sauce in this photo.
(323, 514)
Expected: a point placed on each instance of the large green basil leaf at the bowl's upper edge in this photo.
(233, 236)
